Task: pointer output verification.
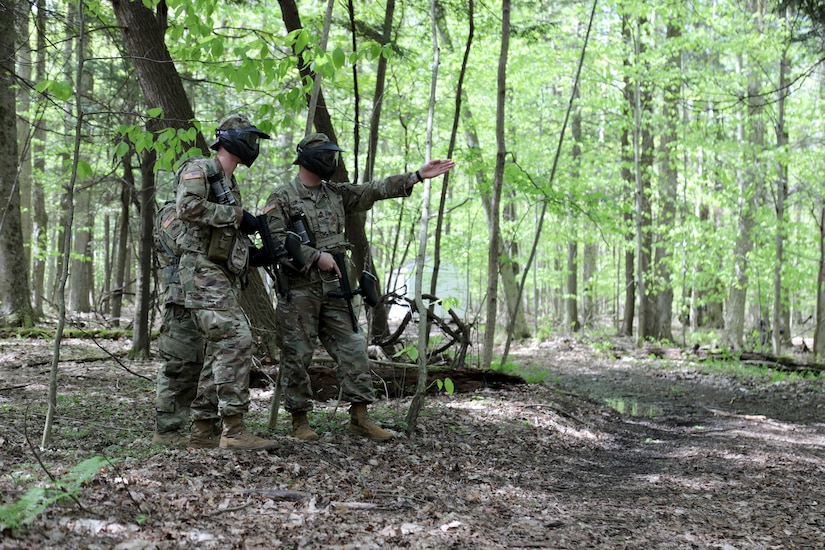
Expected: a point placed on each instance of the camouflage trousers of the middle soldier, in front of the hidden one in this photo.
(223, 387)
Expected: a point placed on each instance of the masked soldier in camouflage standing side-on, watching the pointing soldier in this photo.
(216, 254)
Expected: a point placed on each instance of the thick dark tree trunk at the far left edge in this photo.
(15, 307)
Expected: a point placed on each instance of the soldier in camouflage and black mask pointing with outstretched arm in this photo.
(308, 313)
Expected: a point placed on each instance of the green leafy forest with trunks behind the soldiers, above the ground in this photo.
(650, 168)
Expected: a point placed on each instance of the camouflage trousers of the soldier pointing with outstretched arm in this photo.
(308, 316)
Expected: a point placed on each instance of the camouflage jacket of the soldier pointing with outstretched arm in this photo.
(325, 209)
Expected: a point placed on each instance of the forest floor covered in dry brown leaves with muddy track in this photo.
(695, 459)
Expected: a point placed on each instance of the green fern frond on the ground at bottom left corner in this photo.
(22, 512)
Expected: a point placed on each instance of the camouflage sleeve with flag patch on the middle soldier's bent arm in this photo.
(192, 199)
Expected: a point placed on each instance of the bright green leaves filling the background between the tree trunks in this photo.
(239, 57)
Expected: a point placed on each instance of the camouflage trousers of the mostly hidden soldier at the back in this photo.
(181, 347)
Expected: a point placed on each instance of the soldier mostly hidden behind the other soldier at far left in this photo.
(180, 344)
